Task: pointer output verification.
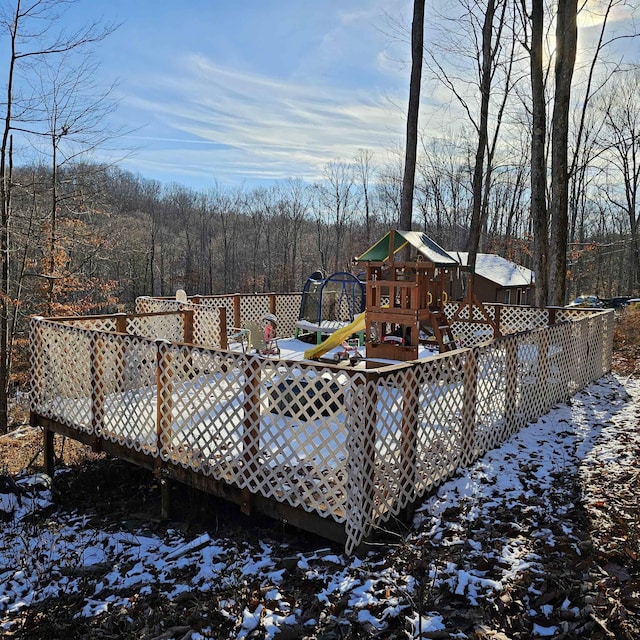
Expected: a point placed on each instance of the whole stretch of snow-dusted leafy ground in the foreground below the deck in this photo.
(479, 552)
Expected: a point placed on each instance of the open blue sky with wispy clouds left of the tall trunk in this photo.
(247, 91)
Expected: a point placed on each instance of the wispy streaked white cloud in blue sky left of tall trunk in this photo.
(225, 122)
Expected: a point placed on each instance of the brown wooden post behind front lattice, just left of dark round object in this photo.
(251, 428)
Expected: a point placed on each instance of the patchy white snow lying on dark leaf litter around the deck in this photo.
(514, 490)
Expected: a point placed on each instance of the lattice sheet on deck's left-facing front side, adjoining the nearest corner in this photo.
(276, 428)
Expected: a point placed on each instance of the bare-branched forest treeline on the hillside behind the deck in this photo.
(118, 235)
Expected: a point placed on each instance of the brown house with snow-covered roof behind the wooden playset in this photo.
(498, 279)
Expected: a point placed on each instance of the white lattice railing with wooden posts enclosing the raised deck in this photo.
(355, 446)
